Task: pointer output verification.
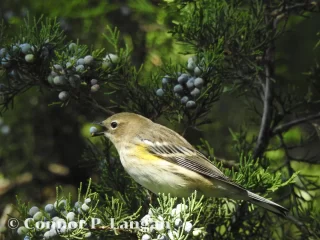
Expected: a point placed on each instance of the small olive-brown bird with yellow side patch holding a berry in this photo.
(162, 161)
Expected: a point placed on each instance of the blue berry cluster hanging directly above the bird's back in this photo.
(187, 86)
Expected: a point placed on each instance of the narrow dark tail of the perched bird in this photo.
(267, 204)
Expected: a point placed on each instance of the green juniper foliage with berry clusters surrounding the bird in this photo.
(227, 49)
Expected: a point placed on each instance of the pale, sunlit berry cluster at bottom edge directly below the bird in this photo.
(156, 227)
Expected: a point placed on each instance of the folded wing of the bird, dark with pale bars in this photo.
(189, 158)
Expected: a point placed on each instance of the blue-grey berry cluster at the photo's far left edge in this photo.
(24, 51)
